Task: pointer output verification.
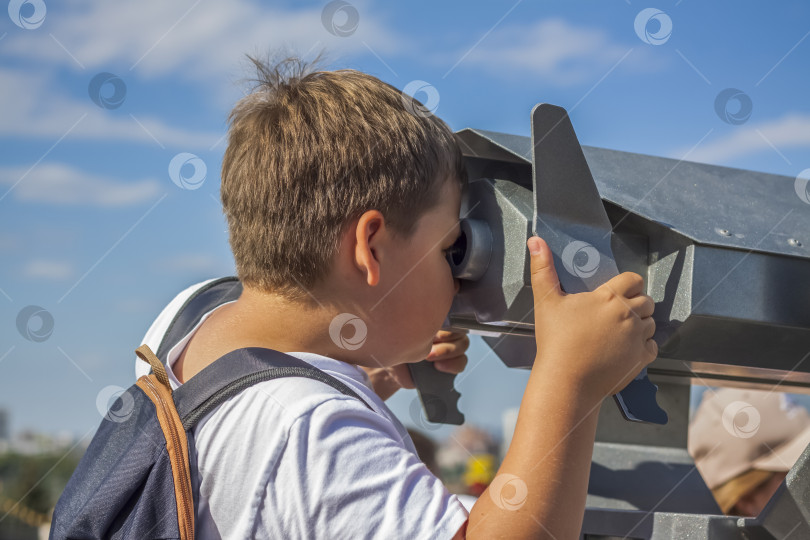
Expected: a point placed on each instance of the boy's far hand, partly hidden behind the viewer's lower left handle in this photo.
(447, 353)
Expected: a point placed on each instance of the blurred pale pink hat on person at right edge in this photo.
(737, 430)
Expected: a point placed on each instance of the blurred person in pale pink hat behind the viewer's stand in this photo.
(744, 442)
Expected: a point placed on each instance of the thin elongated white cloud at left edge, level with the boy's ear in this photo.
(60, 184)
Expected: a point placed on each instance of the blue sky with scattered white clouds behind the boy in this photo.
(94, 230)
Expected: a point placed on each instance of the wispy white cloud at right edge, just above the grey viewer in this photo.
(789, 131)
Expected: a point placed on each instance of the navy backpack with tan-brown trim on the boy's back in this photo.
(136, 478)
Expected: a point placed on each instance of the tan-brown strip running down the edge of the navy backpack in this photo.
(176, 445)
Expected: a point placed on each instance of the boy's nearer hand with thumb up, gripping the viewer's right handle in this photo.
(599, 340)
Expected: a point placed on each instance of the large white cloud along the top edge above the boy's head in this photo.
(191, 39)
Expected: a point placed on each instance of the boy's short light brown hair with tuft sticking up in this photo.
(308, 152)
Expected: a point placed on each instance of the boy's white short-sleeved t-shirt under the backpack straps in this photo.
(295, 458)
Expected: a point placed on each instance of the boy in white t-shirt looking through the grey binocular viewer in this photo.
(341, 201)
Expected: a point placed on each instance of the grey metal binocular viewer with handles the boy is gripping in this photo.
(729, 279)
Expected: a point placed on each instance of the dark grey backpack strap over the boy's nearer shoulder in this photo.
(238, 370)
